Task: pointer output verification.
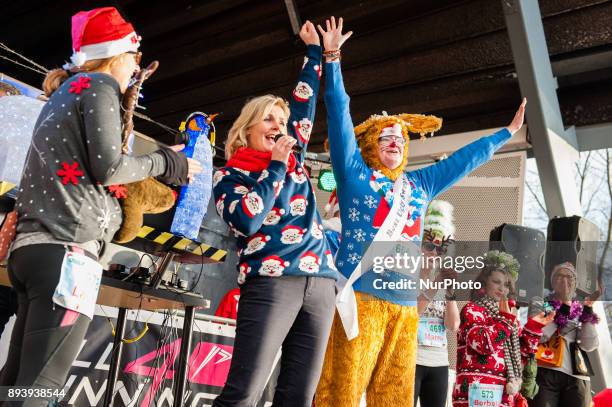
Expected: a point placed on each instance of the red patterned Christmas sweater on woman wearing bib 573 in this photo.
(480, 349)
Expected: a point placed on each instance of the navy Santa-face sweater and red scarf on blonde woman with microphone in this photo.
(272, 211)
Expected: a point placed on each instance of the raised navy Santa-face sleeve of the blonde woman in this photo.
(303, 101)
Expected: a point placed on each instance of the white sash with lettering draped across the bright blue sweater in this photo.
(390, 231)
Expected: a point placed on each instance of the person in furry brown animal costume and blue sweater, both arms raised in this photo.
(372, 345)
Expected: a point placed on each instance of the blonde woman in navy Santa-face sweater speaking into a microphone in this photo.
(286, 271)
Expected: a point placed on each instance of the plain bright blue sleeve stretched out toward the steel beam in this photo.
(438, 177)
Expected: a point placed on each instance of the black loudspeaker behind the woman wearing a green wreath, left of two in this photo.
(527, 245)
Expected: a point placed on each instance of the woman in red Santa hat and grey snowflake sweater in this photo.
(66, 211)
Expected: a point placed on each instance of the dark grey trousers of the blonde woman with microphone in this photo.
(295, 312)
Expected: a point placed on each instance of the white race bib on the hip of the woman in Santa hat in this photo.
(79, 284)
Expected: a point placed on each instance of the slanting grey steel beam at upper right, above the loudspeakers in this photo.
(554, 147)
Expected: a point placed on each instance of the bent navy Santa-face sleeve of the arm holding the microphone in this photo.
(242, 201)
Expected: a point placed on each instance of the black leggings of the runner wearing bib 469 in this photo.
(431, 386)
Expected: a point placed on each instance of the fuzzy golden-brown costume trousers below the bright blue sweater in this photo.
(387, 381)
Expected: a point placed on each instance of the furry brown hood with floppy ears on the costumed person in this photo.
(368, 133)
